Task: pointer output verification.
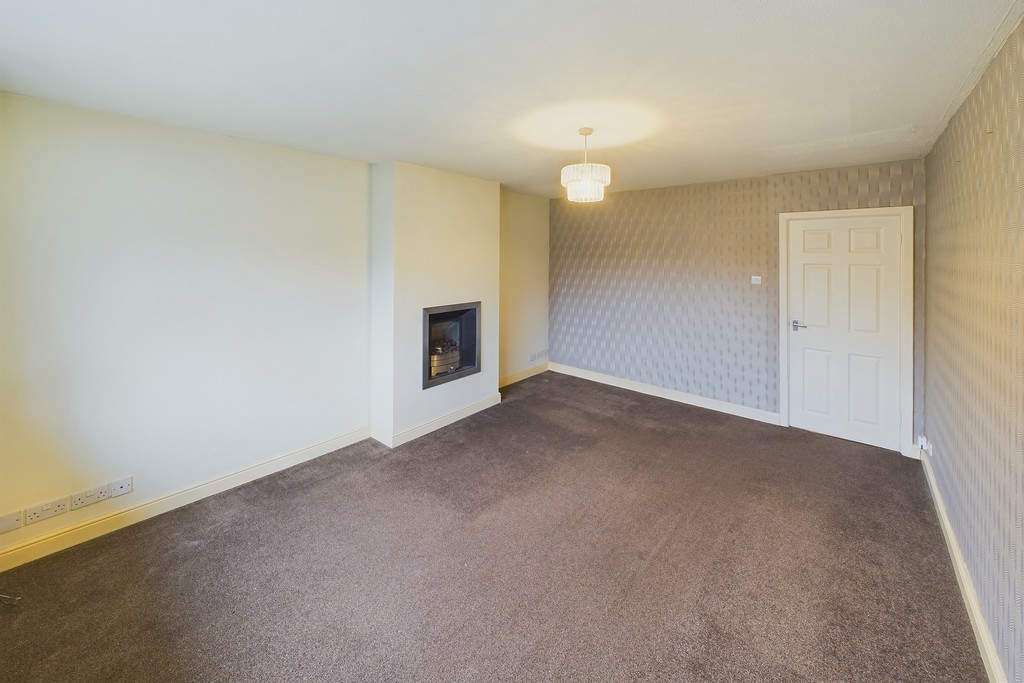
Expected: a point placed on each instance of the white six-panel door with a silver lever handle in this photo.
(848, 314)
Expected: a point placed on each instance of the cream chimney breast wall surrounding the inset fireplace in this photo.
(445, 236)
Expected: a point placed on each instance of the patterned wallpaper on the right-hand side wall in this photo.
(974, 338)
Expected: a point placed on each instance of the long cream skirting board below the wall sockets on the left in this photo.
(93, 529)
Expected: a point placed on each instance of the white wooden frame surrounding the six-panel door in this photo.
(906, 307)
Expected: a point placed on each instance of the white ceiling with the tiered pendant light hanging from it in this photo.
(678, 92)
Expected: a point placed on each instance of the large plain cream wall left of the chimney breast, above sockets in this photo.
(176, 306)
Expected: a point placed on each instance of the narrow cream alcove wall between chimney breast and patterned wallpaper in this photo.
(524, 326)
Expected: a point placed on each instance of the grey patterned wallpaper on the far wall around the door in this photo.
(655, 286)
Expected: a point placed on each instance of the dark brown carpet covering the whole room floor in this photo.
(574, 533)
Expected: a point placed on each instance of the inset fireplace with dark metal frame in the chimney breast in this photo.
(451, 343)
